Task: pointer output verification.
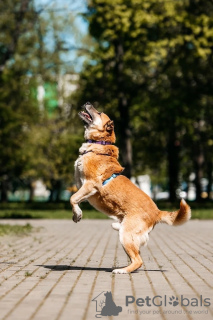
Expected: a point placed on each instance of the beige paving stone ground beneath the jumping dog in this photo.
(56, 271)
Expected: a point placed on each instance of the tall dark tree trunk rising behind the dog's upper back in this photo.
(123, 108)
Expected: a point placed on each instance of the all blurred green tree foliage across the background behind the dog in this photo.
(149, 67)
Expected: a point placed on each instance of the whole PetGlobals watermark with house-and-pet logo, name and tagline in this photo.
(105, 305)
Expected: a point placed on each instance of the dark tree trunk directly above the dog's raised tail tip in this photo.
(173, 150)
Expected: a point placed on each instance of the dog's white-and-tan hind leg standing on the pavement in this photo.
(131, 241)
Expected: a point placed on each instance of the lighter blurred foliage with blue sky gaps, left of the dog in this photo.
(35, 140)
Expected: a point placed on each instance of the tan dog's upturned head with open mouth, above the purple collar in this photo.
(98, 125)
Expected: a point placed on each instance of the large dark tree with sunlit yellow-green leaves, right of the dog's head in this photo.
(151, 58)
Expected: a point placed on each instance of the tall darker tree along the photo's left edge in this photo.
(15, 114)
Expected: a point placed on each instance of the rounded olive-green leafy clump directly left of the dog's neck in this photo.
(54, 143)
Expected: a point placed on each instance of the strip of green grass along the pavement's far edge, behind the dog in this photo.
(63, 210)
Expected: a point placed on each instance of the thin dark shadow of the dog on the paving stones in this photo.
(77, 268)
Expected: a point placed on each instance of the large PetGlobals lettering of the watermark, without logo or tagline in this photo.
(159, 301)
